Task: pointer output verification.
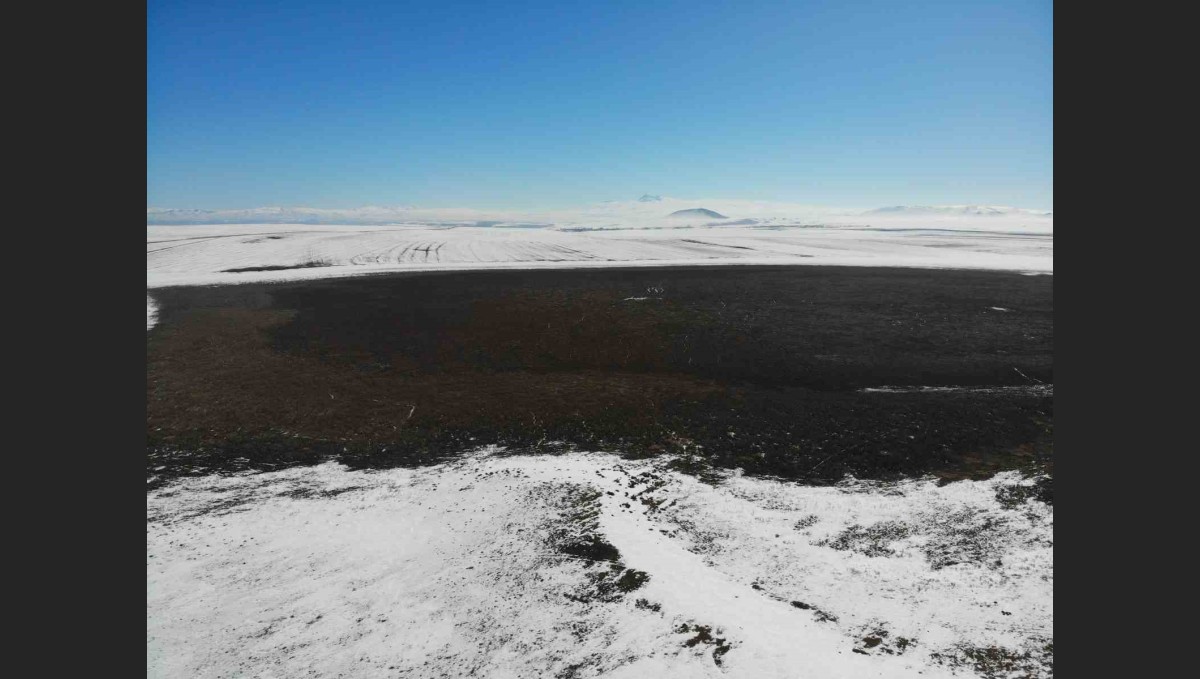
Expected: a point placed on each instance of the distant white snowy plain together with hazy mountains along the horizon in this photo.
(640, 233)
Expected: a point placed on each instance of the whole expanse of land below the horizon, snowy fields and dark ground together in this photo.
(743, 450)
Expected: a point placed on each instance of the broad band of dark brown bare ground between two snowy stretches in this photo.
(753, 368)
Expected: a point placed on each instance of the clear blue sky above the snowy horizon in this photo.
(559, 104)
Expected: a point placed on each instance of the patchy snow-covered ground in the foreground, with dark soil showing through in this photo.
(484, 568)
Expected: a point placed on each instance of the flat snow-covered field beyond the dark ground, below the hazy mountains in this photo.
(178, 256)
